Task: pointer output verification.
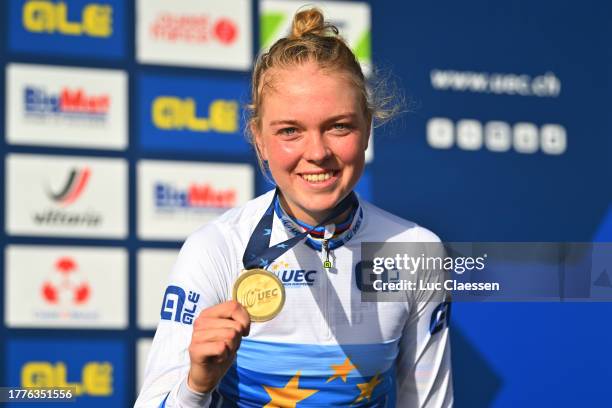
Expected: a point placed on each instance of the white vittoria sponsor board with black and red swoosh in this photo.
(66, 196)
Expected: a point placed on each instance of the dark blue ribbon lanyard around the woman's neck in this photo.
(259, 253)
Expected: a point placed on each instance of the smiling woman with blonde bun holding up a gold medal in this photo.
(322, 346)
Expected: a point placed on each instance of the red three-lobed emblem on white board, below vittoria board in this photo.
(66, 285)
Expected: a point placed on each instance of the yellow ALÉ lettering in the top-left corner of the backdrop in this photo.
(50, 17)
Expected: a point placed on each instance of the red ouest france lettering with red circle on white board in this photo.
(193, 28)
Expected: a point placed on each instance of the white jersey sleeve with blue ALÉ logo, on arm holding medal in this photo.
(198, 280)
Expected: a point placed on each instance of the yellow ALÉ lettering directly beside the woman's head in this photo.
(173, 113)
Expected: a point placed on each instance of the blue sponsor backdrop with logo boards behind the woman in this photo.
(124, 131)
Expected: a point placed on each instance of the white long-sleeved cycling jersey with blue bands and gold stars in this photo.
(326, 347)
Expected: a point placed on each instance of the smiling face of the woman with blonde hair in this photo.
(313, 134)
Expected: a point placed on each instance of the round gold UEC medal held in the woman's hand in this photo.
(261, 293)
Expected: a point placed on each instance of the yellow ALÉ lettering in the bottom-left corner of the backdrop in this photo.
(96, 377)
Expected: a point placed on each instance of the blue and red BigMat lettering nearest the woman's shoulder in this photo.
(195, 196)
